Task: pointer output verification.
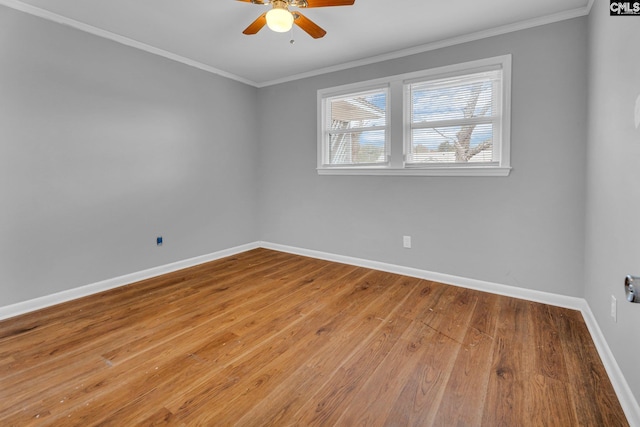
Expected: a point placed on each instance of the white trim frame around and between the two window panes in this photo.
(397, 124)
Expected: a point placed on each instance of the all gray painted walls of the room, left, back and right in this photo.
(104, 147)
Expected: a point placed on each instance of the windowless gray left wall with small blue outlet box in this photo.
(104, 147)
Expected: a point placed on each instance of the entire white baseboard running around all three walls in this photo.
(625, 395)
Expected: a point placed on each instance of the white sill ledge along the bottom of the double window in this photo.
(448, 171)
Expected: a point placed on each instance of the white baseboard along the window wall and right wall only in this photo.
(627, 400)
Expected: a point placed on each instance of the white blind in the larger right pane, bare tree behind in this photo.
(455, 120)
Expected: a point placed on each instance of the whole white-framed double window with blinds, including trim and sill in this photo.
(455, 121)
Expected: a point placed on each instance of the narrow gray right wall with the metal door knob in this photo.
(613, 202)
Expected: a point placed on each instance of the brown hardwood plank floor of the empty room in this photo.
(267, 338)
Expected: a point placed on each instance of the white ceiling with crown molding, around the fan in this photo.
(208, 33)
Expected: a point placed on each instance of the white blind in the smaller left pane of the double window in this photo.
(355, 129)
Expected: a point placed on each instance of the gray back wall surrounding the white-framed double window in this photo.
(525, 230)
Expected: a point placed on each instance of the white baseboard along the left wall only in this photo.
(104, 285)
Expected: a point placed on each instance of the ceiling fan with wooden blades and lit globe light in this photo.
(280, 19)
